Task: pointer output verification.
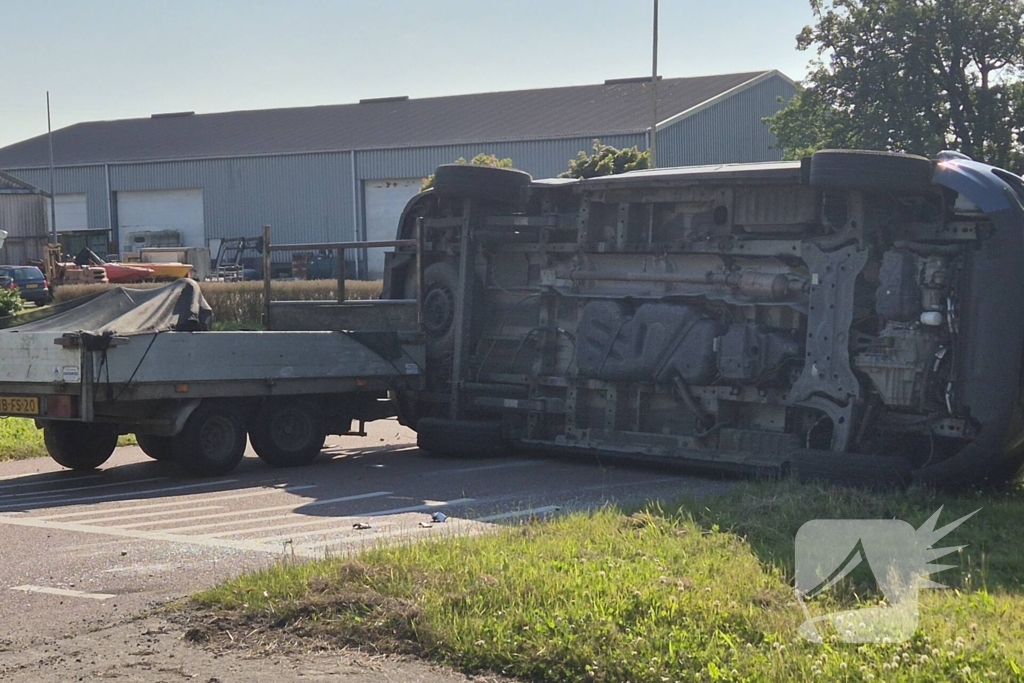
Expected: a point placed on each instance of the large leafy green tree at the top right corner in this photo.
(916, 76)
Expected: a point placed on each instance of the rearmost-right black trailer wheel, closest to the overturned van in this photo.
(288, 434)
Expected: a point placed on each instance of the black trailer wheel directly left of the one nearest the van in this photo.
(212, 443)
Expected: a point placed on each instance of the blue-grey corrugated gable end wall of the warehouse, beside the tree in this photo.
(732, 132)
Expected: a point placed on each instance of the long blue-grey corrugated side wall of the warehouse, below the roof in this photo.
(306, 198)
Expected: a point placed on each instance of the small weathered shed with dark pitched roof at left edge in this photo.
(23, 218)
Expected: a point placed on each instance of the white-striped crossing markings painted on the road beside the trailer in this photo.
(263, 517)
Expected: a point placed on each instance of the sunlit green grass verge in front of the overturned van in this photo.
(699, 591)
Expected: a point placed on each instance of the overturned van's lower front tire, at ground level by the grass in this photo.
(851, 469)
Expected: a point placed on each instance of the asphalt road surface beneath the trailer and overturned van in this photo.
(86, 551)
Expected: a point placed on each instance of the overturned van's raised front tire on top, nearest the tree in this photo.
(871, 172)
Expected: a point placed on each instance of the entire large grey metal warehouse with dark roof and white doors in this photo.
(345, 173)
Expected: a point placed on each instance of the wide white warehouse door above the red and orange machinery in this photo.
(141, 215)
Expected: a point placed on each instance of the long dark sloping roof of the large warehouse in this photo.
(614, 108)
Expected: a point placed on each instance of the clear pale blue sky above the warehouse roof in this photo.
(123, 59)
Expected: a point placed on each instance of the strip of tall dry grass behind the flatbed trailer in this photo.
(236, 304)
